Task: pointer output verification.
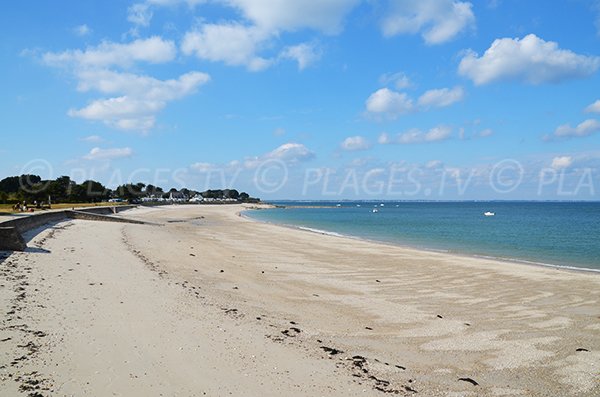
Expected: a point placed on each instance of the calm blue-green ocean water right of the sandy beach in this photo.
(553, 233)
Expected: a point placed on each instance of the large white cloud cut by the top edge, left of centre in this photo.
(240, 42)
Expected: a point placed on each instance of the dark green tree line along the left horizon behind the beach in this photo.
(31, 188)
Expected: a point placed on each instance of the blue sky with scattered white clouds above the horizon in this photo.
(323, 99)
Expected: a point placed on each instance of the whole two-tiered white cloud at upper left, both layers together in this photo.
(133, 100)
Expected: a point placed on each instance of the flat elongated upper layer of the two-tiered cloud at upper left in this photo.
(107, 54)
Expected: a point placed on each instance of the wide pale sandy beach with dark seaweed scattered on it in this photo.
(202, 301)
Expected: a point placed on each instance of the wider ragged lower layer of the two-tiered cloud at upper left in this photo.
(143, 97)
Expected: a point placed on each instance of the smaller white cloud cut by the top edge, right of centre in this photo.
(437, 20)
